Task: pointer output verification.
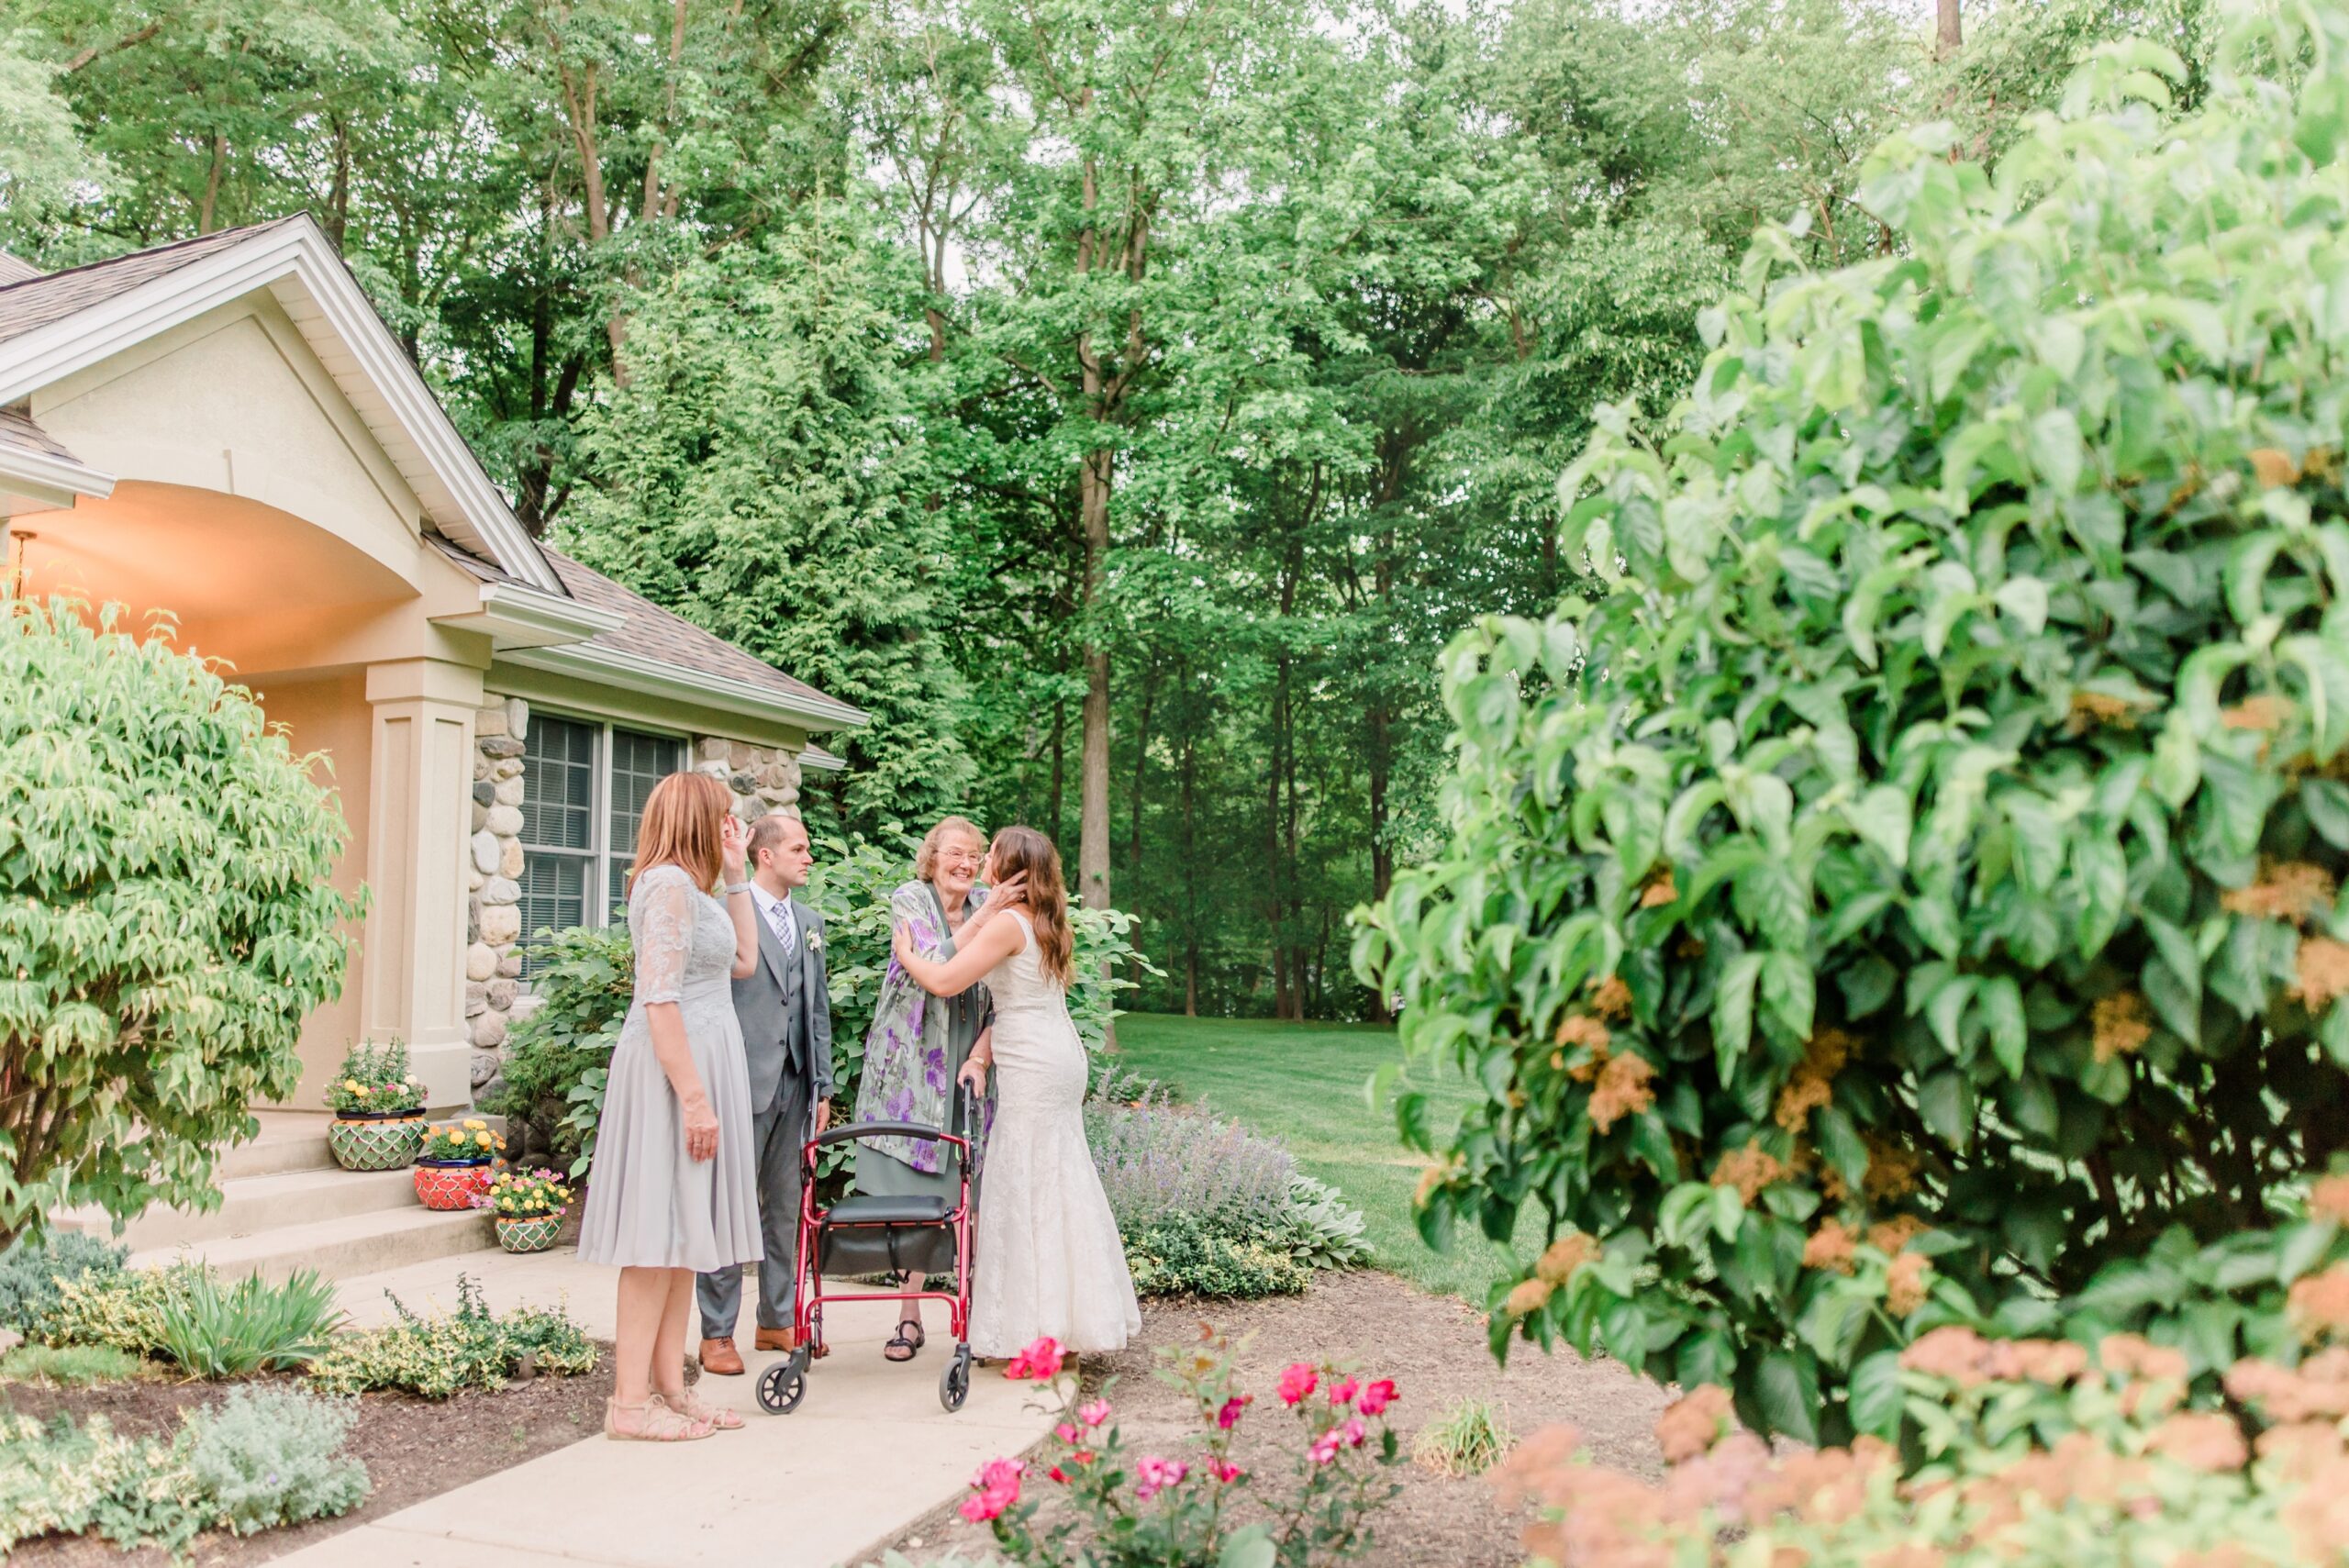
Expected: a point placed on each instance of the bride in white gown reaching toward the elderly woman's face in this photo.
(1046, 1257)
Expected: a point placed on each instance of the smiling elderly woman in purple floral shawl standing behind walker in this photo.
(920, 1043)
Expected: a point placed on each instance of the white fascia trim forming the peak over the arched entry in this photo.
(304, 252)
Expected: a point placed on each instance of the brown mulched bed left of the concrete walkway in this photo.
(415, 1449)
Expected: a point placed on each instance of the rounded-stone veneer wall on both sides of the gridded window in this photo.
(760, 778)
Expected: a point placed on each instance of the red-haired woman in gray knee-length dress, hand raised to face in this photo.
(671, 1194)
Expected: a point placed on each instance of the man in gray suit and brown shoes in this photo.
(786, 1015)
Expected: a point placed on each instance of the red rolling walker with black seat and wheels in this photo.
(870, 1236)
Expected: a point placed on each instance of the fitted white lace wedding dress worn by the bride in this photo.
(1046, 1259)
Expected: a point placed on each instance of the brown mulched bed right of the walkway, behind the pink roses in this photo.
(1432, 1346)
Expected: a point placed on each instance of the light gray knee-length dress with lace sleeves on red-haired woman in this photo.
(649, 1203)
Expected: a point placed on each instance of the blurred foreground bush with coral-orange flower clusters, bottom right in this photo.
(2038, 1457)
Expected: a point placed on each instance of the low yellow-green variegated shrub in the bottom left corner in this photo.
(65, 1480)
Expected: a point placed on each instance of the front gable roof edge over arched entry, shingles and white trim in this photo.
(60, 323)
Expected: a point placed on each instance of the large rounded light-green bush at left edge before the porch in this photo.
(168, 917)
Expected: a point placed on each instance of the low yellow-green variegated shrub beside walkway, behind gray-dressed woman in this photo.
(464, 1351)
